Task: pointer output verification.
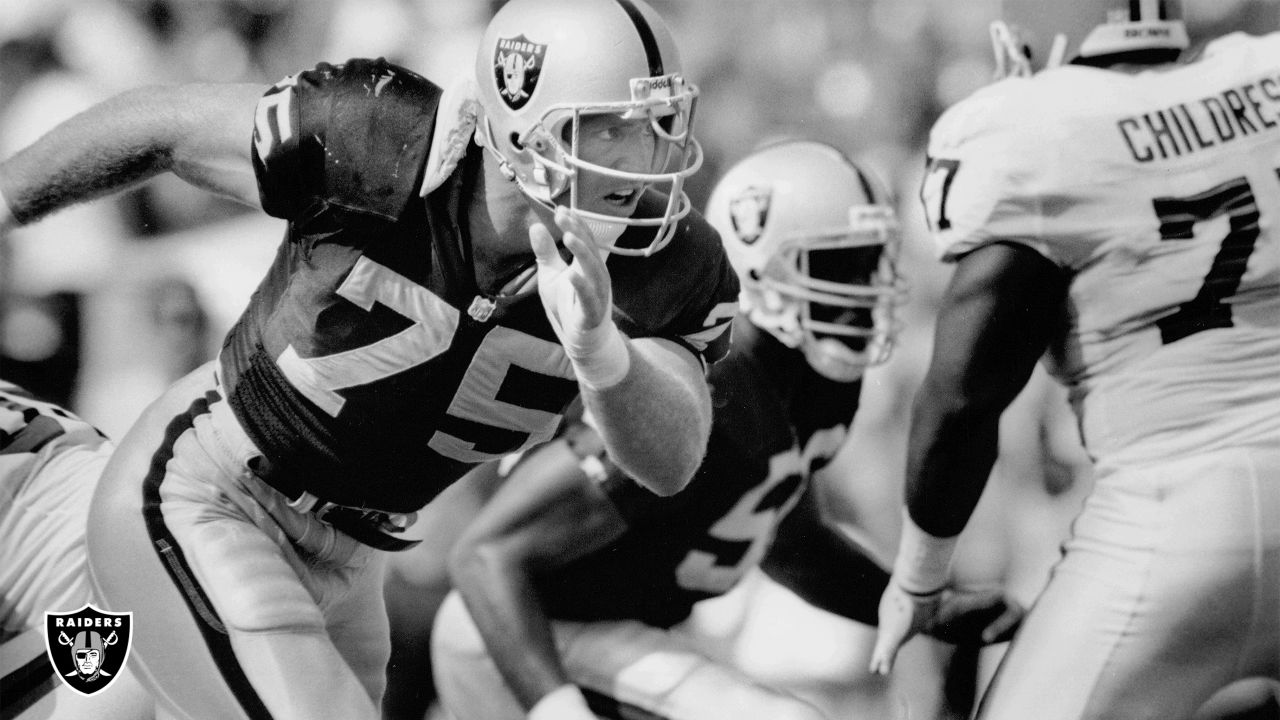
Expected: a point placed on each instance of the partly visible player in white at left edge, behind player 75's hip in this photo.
(51, 462)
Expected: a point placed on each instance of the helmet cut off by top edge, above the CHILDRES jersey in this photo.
(1036, 35)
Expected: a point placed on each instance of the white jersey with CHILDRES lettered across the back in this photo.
(1159, 194)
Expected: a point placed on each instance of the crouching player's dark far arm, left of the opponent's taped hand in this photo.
(824, 566)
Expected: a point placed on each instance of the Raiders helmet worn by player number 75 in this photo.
(545, 65)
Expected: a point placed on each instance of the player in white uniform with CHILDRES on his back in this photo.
(1118, 215)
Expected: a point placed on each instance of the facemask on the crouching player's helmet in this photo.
(833, 294)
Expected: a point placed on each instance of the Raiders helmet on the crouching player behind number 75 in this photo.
(815, 243)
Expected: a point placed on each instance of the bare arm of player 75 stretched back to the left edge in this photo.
(200, 133)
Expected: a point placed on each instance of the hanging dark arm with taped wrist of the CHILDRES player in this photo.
(998, 316)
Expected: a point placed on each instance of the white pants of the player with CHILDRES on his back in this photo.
(1168, 591)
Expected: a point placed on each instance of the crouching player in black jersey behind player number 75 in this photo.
(575, 576)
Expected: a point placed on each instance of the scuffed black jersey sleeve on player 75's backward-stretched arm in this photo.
(351, 136)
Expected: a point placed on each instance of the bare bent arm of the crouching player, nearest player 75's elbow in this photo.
(547, 514)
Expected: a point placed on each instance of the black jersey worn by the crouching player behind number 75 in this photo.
(776, 421)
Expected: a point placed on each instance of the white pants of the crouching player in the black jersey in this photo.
(627, 666)
